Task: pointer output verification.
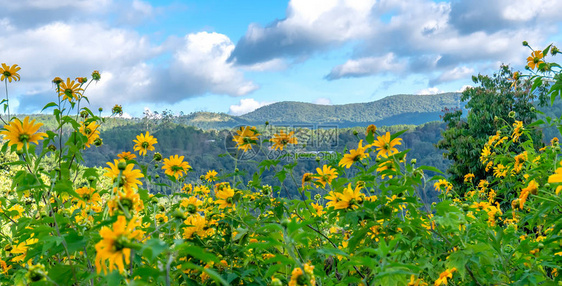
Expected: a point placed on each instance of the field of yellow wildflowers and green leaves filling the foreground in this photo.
(358, 219)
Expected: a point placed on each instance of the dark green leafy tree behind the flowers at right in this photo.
(499, 100)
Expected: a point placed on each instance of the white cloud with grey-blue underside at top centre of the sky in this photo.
(310, 26)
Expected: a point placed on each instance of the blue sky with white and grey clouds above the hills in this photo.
(235, 56)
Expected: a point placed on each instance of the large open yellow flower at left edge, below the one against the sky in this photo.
(19, 133)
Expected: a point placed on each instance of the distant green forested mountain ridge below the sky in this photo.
(391, 110)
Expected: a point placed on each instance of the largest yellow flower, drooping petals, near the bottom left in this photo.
(116, 244)
